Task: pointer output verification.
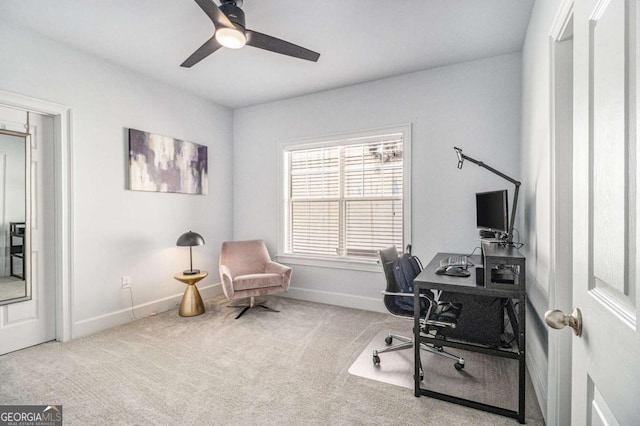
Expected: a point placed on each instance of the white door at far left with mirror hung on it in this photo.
(33, 321)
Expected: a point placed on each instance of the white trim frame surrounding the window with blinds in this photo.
(345, 138)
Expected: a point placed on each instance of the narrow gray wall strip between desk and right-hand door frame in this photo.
(537, 177)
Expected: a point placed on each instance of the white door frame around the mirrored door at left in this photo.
(63, 202)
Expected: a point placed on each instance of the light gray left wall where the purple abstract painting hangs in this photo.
(119, 232)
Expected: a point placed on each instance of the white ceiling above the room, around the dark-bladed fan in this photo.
(359, 40)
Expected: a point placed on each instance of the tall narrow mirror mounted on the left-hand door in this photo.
(14, 234)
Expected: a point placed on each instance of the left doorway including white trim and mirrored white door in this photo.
(37, 239)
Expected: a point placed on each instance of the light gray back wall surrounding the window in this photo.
(473, 105)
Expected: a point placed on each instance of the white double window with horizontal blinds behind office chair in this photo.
(345, 196)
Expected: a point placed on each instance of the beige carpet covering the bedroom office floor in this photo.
(287, 368)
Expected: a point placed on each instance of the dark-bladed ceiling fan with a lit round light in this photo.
(230, 31)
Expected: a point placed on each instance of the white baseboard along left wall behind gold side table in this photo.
(123, 316)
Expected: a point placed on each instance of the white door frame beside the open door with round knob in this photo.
(560, 295)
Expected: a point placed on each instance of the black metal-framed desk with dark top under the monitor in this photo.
(429, 280)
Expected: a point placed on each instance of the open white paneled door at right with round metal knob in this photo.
(606, 237)
